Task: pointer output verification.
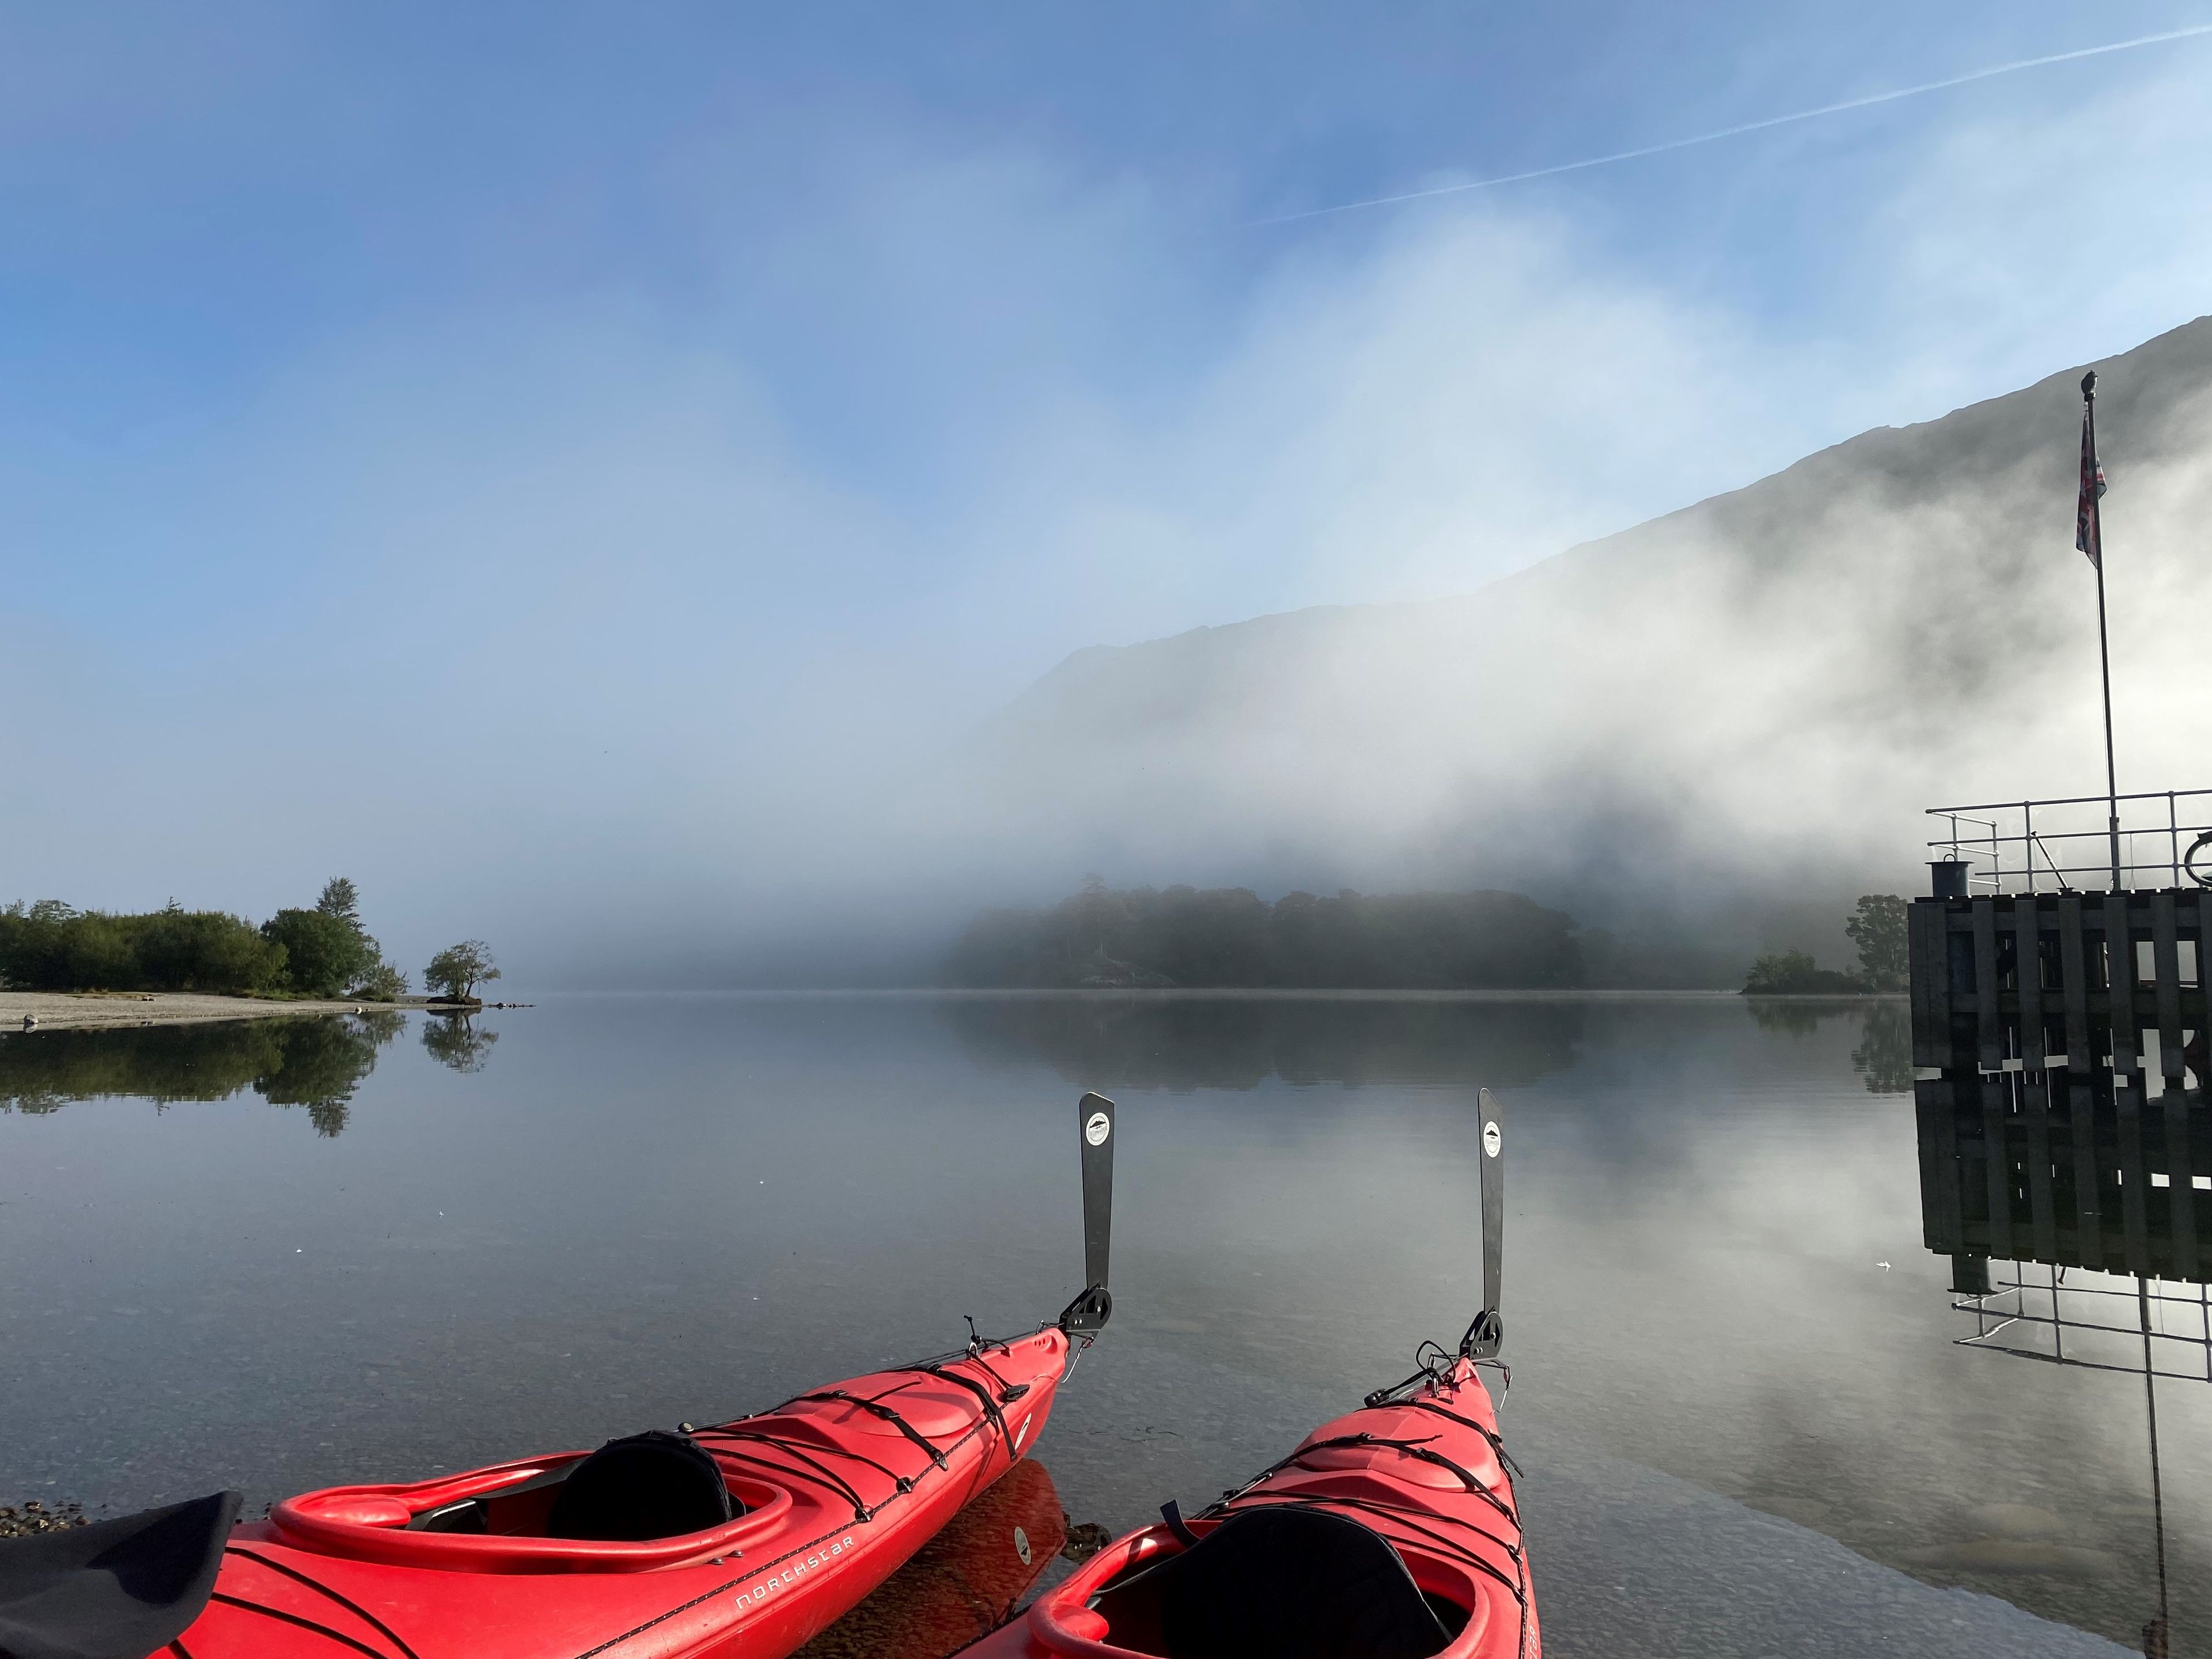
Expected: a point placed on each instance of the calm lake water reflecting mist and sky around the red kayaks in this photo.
(293, 1255)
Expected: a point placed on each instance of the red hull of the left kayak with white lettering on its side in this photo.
(839, 1488)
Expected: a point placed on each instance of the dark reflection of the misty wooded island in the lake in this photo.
(1187, 1043)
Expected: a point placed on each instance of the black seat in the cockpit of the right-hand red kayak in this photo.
(1277, 1585)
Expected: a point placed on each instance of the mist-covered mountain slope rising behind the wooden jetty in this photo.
(1731, 713)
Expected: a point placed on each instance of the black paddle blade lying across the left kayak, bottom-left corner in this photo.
(114, 1589)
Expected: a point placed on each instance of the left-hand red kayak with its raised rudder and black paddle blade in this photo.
(738, 1541)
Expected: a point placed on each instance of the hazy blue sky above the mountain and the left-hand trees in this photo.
(620, 439)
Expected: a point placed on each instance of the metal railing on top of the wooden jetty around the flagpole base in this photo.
(2067, 844)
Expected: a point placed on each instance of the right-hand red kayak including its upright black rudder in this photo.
(1388, 1534)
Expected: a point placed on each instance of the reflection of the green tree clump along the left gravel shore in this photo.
(313, 1063)
